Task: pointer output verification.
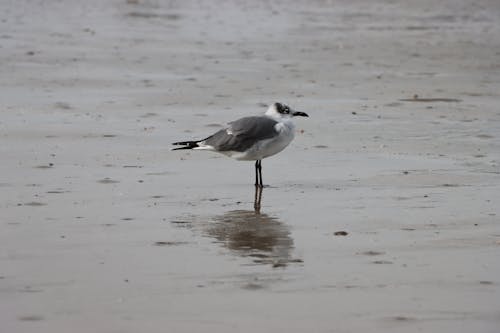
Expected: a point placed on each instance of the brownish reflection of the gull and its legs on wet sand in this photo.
(254, 234)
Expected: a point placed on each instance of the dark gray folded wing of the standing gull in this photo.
(242, 134)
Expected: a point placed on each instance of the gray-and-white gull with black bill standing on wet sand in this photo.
(252, 138)
